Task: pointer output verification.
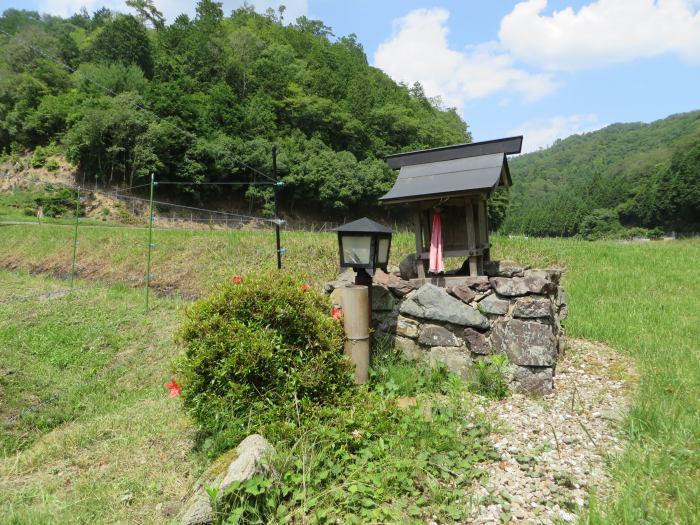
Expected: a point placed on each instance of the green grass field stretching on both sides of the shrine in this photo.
(642, 299)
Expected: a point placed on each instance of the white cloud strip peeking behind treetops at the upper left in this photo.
(172, 8)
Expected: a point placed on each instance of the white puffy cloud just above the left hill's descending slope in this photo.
(418, 51)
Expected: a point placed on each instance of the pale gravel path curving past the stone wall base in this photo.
(554, 449)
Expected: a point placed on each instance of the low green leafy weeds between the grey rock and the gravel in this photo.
(365, 460)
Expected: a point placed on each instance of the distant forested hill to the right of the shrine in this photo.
(639, 175)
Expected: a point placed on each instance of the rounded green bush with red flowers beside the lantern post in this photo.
(260, 354)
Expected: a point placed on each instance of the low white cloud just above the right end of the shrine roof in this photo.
(542, 132)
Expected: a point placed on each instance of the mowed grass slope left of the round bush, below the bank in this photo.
(88, 433)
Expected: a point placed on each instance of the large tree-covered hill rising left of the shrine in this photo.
(190, 100)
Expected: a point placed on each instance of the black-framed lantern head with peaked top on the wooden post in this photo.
(364, 244)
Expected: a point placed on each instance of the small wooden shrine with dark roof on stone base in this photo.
(456, 181)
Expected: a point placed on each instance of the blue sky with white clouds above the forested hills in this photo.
(543, 68)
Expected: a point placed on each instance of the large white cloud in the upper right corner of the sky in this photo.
(602, 32)
